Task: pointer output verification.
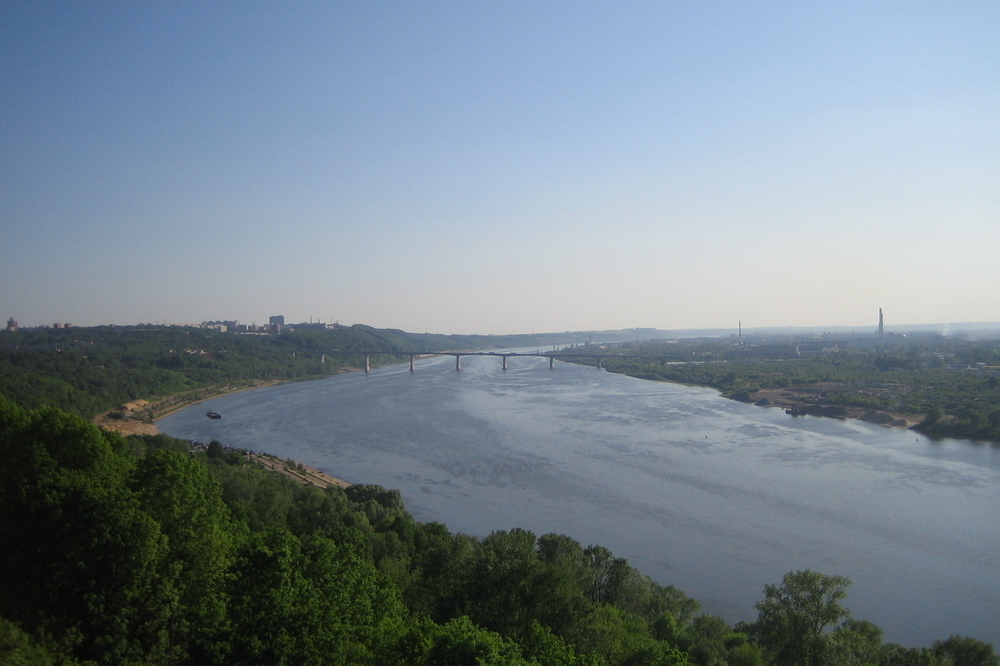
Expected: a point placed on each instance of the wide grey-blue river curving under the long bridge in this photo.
(716, 497)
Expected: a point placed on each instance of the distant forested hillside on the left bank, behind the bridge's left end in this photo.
(86, 371)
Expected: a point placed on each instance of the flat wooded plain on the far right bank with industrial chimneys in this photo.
(950, 385)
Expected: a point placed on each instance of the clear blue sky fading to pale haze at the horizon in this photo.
(496, 167)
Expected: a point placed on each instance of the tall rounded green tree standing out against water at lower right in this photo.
(794, 615)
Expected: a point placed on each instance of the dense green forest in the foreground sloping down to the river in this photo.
(142, 550)
